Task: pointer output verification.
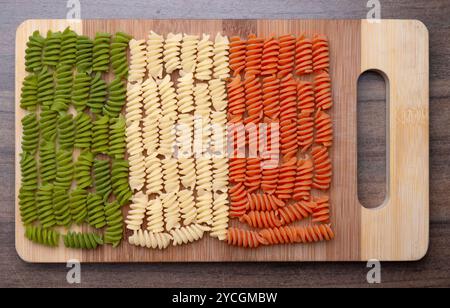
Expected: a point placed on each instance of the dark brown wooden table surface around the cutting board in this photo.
(433, 270)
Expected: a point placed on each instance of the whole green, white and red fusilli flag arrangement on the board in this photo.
(193, 135)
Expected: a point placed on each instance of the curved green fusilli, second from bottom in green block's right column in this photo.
(119, 179)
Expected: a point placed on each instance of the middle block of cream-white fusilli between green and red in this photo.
(191, 193)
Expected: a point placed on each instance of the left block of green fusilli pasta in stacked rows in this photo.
(73, 165)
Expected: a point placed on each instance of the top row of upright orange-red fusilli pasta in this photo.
(279, 56)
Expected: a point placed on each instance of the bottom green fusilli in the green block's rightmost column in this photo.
(114, 229)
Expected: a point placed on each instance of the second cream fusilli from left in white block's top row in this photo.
(155, 48)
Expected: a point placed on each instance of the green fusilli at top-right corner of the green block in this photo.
(119, 59)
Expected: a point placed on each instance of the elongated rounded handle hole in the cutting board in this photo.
(372, 131)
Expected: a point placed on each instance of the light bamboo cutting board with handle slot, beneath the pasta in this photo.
(397, 231)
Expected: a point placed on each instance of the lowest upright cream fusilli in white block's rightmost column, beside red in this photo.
(220, 216)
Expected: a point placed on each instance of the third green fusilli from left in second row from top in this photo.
(63, 88)
